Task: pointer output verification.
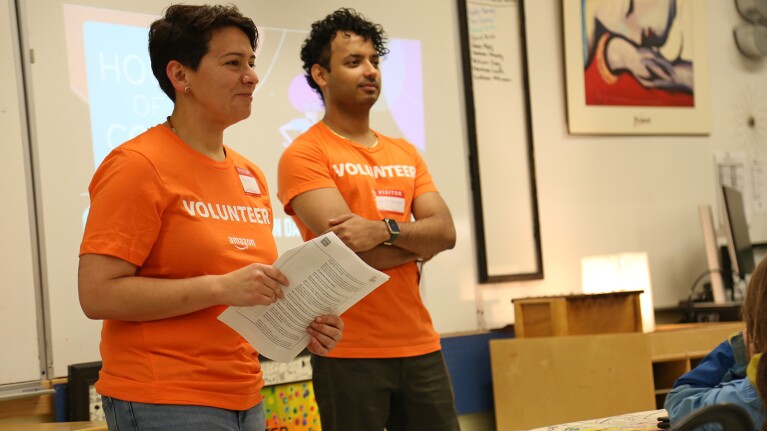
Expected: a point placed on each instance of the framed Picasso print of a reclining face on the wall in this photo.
(636, 67)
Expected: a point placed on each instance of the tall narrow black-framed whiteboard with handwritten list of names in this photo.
(500, 140)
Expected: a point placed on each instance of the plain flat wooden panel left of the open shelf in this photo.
(550, 380)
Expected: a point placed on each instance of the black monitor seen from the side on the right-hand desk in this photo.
(740, 251)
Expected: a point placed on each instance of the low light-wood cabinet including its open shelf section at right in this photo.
(549, 380)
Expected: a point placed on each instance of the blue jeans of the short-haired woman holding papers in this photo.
(130, 416)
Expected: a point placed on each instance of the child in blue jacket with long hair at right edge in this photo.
(732, 372)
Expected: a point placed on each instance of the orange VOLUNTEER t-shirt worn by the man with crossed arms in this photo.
(377, 182)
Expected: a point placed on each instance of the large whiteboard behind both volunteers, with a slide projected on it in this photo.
(91, 88)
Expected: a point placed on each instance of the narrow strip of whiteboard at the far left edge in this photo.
(20, 357)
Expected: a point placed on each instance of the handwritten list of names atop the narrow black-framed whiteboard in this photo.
(488, 52)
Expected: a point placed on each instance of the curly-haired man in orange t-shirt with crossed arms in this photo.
(376, 194)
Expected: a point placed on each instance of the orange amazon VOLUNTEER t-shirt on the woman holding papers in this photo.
(175, 214)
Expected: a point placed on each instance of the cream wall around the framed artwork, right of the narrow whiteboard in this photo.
(603, 195)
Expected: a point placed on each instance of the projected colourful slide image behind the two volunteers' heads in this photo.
(110, 70)
